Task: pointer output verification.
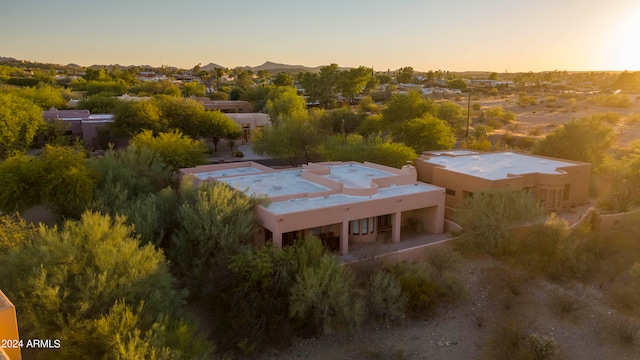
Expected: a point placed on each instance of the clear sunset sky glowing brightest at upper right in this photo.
(462, 35)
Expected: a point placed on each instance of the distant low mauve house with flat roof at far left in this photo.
(79, 123)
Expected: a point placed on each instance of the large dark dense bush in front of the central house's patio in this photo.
(268, 295)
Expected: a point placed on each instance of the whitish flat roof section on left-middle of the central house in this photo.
(285, 182)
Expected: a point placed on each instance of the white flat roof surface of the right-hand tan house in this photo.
(495, 166)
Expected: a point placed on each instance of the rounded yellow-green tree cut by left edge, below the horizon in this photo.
(20, 120)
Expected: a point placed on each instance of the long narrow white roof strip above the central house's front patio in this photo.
(305, 204)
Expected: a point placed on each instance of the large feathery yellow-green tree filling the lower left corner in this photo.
(73, 280)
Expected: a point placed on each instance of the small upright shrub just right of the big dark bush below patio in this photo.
(385, 300)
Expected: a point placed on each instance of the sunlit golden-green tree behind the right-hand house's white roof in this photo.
(586, 139)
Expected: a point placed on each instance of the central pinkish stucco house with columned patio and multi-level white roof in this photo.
(341, 203)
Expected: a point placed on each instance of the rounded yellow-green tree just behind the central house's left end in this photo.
(176, 150)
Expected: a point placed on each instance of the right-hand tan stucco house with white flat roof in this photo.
(555, 183)
